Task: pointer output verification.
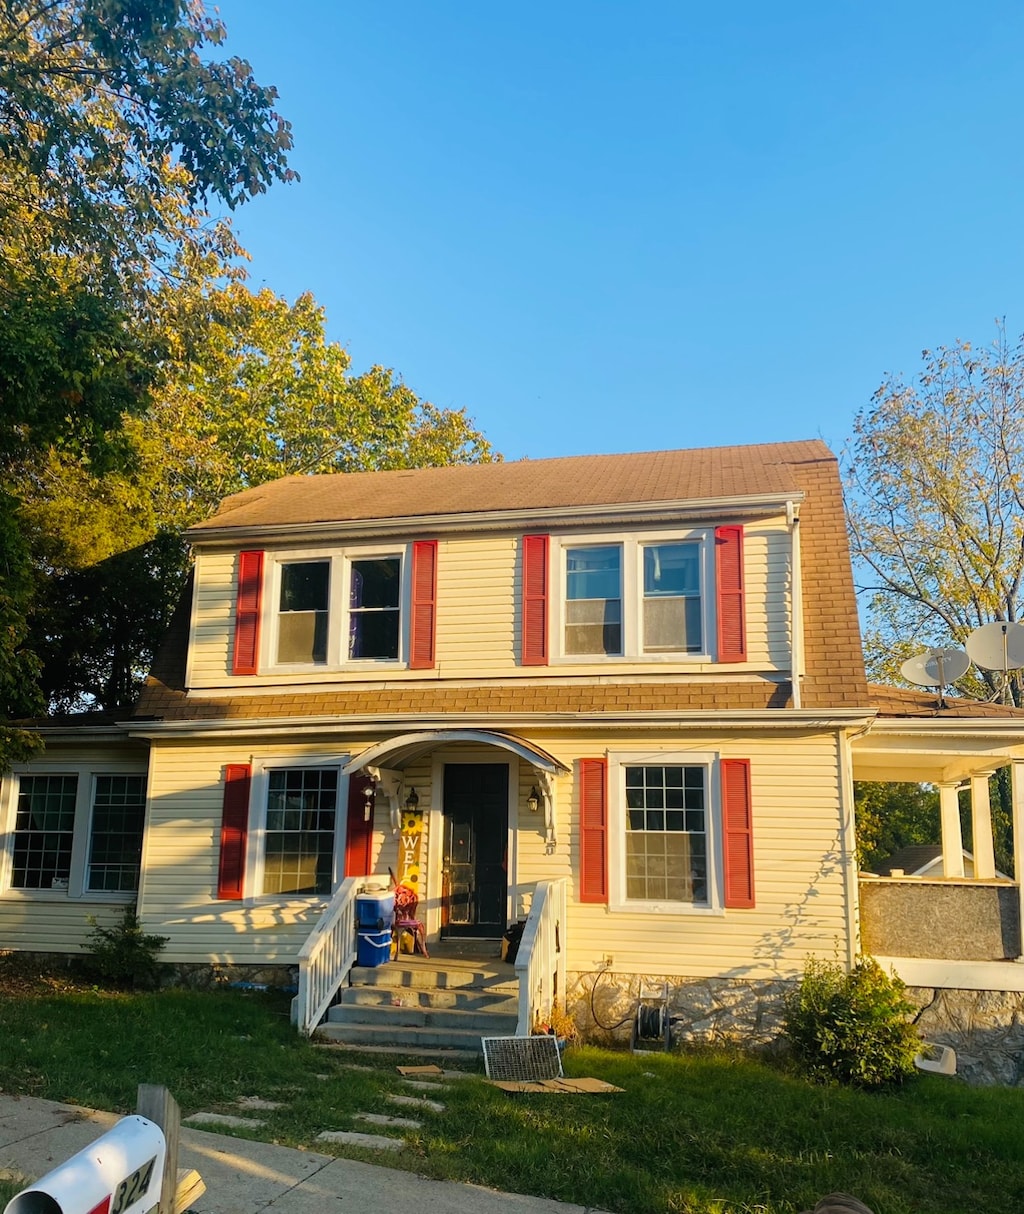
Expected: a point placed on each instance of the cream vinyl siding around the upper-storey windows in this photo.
(479, 616)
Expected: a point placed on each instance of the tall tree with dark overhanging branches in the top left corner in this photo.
(121, 122)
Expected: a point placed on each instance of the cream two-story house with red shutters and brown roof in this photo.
(621, 695)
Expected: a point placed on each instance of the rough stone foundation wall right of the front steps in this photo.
(985, 1028)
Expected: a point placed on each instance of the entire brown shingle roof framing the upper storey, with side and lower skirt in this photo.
(835, 667)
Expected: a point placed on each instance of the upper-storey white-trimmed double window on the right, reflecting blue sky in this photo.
(642, 598)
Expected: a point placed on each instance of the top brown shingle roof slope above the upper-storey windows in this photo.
(525, 485)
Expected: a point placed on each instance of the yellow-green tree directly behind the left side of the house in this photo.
(251, 390)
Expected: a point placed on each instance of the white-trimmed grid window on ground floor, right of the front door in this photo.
(666, 818)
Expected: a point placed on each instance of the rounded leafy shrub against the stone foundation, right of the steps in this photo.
(852, 1028)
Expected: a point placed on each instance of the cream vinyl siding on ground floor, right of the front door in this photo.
(799, 869)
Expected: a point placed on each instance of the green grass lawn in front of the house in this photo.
(694, 1133)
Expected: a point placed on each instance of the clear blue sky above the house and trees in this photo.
(607, 228)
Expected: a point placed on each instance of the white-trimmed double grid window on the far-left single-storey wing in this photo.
(76, 833)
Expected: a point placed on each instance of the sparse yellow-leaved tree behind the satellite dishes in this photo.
(936, 507)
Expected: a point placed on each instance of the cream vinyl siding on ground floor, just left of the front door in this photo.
(183, 853)
